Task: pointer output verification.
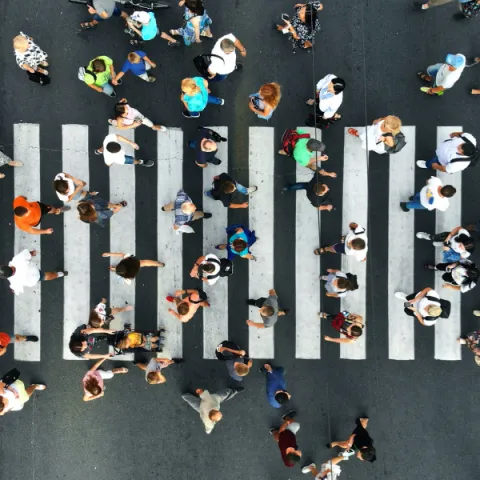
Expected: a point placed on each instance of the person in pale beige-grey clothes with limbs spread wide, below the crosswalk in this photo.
(208, 404)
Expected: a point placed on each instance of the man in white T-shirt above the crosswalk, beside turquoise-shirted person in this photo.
(220, 68)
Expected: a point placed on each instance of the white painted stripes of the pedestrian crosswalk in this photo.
(171, 148)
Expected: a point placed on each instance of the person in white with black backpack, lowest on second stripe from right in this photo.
(426, 306)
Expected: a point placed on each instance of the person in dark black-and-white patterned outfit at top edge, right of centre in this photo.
(303, 25)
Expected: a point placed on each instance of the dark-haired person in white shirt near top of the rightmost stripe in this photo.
(453, 155)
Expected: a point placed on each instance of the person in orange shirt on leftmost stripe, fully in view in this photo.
(28, 215)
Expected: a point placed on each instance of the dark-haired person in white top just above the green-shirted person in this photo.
(329, 98)
